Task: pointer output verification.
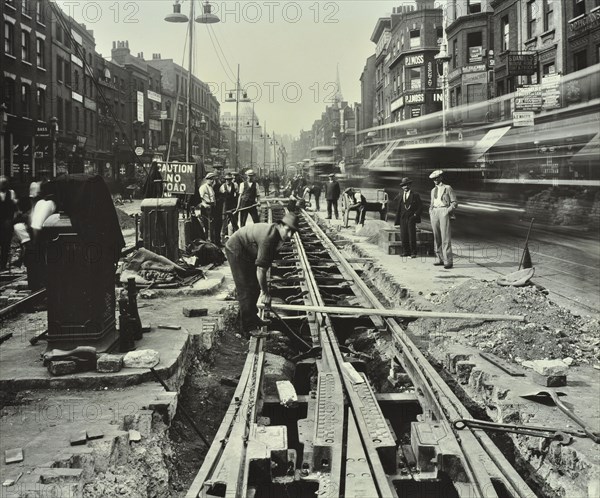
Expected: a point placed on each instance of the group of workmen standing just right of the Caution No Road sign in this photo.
(223, 199)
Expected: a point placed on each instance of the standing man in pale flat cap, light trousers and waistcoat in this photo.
(443, 204)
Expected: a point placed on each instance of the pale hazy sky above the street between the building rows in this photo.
(287, 50)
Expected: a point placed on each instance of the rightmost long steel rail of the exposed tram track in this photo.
(445, 404)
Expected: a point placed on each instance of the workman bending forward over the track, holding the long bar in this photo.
(250, 252)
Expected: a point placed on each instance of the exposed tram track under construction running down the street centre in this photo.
(342, 438)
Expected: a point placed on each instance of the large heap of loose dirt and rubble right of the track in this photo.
(549, 331)
